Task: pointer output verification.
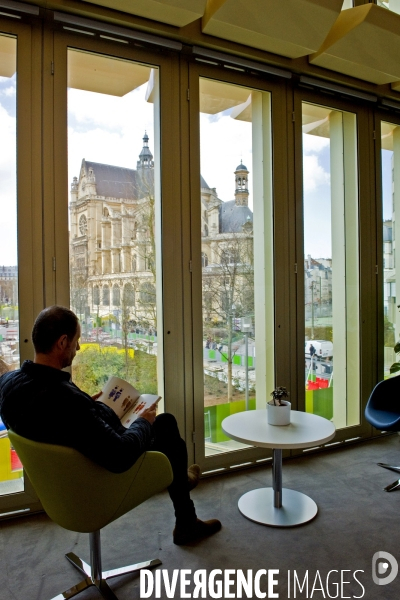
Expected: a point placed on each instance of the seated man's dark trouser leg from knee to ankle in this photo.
(167, 440)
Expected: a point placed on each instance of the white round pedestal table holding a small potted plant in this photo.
(276, 506)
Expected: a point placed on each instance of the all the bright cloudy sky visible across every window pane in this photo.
(109, 129)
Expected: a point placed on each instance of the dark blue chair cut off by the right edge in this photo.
(383, 412)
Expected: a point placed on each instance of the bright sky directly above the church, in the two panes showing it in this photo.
(117, 140)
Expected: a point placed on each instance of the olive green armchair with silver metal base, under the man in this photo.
(81, 496)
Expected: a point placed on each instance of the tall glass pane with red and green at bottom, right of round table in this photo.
(331, 264)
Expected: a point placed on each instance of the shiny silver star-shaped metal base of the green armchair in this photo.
(101, 582)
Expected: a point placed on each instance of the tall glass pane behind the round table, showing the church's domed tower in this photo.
(236, 254)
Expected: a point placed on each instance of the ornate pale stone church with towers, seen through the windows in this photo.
(112, 238)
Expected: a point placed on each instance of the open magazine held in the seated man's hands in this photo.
(125, 400)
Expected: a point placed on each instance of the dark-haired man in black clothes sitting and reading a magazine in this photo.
(40, 402)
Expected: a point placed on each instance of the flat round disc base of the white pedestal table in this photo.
(258, 506)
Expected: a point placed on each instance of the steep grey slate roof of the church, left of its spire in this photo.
(115, 182)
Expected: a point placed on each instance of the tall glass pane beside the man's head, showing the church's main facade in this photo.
(113, 160)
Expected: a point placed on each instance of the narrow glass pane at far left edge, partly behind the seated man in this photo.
(10, 466)
